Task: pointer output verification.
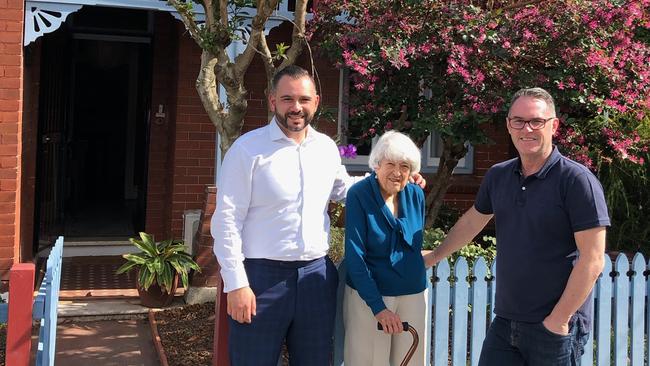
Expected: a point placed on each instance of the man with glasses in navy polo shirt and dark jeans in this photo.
(550, 217)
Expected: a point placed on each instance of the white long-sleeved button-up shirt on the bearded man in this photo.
(272, 198)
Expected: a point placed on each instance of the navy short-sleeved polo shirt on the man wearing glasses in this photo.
(536, 217)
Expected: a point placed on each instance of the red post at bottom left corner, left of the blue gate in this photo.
(19, 330)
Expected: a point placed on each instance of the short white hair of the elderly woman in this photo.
(395, 146)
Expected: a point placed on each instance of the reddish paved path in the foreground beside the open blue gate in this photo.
(105, 342)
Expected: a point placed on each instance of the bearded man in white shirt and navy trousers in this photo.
(271, 231)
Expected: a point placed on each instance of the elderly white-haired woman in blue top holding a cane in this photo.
(386, 280)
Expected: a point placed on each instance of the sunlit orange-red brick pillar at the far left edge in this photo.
(11, 100)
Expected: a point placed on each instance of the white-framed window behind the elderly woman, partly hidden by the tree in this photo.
(431, 150)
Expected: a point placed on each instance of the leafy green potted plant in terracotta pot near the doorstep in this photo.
(159, 265)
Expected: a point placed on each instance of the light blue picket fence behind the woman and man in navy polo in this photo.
(621, 322)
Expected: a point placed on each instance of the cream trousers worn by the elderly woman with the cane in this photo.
(367, 346)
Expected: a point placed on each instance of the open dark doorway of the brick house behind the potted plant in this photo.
(107, 139)
